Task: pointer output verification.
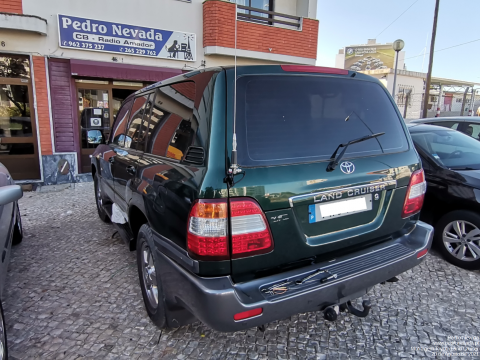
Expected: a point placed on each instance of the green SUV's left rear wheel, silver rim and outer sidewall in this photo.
(149, 277)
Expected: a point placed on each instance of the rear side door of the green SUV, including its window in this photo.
(126, 159)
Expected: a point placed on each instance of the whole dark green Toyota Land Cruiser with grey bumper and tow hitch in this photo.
(255, 193)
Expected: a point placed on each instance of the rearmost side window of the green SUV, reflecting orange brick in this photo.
(172, 125)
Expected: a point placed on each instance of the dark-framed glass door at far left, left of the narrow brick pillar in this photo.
(18, 134)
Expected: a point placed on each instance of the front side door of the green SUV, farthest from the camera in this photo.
(117, 141)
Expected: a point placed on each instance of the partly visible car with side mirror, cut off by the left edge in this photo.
(11, 232)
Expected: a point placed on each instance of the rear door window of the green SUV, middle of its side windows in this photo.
(135, 136)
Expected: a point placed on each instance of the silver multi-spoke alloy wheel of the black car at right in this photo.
(462, 240)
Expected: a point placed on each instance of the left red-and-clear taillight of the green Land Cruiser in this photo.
(207, 229)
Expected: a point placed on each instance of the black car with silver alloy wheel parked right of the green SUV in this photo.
(451, 161)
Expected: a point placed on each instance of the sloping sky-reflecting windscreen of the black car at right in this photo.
(449, 148)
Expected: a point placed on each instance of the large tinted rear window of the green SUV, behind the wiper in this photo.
(286, 119)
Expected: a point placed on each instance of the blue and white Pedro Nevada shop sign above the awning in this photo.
(95, 35)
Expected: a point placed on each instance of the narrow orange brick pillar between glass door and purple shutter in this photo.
(43, 112)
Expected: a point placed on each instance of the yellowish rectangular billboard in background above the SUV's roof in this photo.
(369, 57)
